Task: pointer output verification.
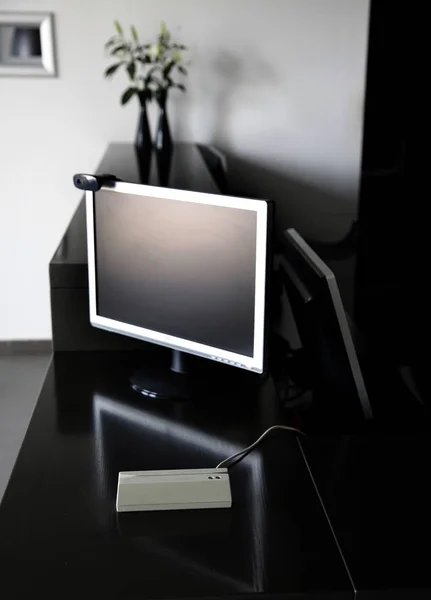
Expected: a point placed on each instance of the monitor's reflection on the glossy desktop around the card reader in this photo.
(128, 438)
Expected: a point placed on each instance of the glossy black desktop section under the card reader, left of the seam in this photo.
(61, 537)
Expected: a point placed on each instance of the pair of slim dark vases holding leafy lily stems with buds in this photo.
(152, 69)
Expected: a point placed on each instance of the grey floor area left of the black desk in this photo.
(21, 378)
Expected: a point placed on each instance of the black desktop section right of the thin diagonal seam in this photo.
(376, 491)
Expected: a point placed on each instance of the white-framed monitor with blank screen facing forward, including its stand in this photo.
(181, 269)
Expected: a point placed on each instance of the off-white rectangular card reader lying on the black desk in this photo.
(173, 490)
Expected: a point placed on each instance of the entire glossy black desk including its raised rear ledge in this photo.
(61, 538)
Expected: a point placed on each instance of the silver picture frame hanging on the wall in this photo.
(27, 44)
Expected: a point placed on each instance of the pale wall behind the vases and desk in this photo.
(278, 84)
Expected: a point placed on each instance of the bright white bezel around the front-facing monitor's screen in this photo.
(254, 363)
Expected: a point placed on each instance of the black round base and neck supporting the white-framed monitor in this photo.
(164, 383)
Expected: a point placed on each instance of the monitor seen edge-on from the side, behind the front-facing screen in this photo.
(330, 358)
